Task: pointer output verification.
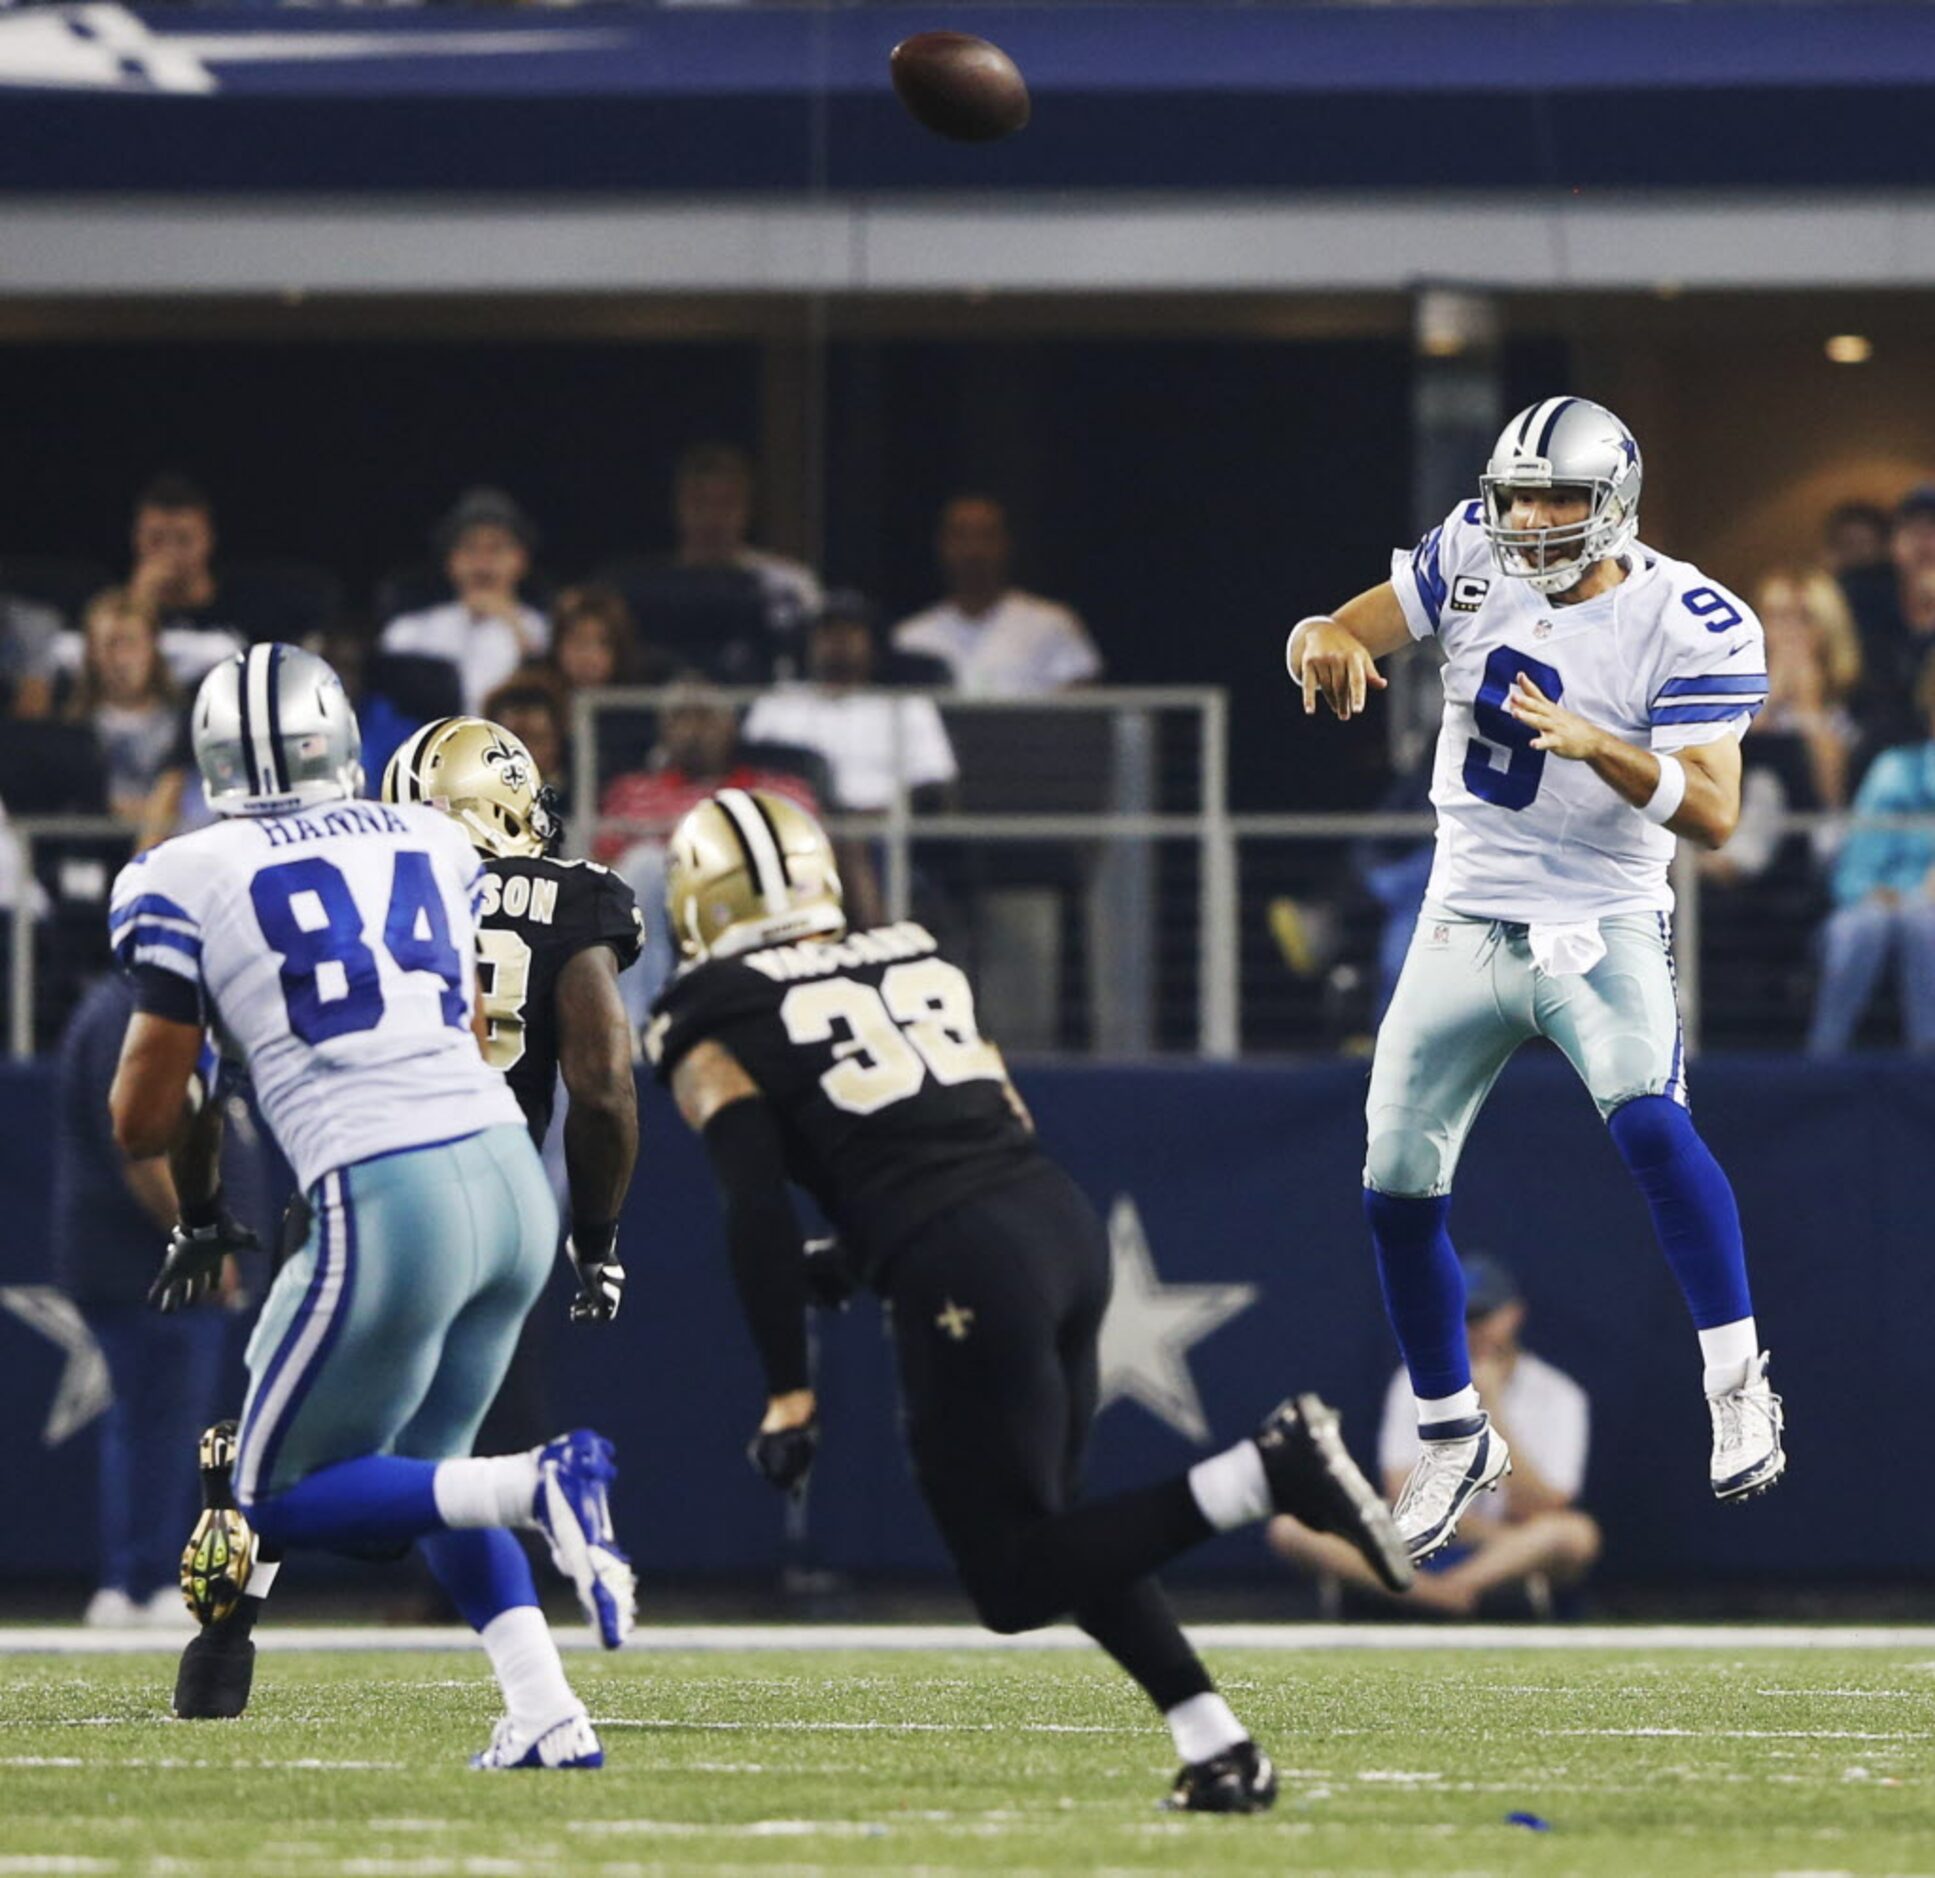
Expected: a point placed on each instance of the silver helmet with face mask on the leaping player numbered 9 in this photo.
(1563, 444)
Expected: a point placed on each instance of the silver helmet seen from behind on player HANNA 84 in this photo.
(274, 732)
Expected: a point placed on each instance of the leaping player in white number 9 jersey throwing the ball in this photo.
(1595, 699)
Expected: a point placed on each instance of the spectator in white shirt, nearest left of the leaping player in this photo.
(996, 639)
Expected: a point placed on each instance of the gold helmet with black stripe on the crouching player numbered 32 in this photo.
(750, 869)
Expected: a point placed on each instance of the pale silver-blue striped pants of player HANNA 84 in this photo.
(390, 1332)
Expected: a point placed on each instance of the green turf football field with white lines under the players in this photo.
(1642, 1761)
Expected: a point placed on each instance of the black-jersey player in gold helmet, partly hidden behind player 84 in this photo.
(552, 939)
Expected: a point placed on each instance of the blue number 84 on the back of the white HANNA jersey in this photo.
(332, 982)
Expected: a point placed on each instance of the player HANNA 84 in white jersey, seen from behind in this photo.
(330, 947)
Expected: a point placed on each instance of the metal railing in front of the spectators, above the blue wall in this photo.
(1133, 916)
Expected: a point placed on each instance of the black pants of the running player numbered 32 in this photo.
(997, 1308)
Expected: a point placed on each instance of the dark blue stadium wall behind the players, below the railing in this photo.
(1249, 1177)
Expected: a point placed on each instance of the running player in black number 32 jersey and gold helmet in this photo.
(852, 1067)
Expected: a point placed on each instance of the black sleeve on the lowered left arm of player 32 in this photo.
(763, 1239)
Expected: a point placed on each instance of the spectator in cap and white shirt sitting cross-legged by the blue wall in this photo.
(1532, 1533)
